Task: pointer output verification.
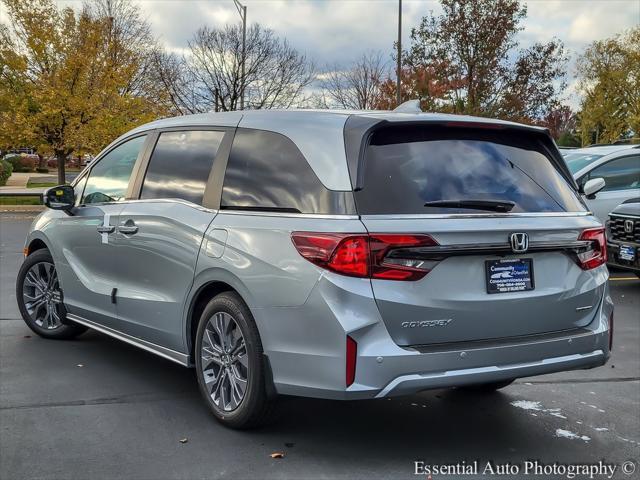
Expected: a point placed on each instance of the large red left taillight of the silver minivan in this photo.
(378, 255)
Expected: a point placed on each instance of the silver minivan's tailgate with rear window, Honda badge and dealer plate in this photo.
(472, 197)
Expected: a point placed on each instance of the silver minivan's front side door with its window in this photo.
(87, 260)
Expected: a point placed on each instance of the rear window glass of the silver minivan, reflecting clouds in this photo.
(406, 167)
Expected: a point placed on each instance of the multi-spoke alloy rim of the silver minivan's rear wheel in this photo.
(225, 364)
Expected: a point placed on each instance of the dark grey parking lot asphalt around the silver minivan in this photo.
(100, 409)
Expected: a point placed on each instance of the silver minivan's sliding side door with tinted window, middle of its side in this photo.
(159, 235)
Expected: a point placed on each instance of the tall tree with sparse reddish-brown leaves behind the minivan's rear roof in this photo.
(472, 47)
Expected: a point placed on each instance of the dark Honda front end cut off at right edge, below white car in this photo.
(623, 236)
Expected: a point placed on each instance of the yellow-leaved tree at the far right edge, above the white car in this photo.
(609, 81)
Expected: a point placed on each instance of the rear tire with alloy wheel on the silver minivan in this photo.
(222, 364)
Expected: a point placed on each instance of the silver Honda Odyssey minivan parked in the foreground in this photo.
(331, 254)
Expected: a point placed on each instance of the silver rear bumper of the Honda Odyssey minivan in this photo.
(315, 365)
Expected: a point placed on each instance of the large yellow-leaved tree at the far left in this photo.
(70, 82)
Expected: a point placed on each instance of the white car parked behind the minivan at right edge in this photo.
(617, 165)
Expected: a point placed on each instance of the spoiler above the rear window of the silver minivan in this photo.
(359, 129)
